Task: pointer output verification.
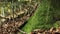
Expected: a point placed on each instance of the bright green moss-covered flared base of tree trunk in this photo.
(42, 19)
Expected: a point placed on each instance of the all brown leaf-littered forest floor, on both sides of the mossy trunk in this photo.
(13, 25)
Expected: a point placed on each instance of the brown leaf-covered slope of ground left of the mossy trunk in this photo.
(12, 26)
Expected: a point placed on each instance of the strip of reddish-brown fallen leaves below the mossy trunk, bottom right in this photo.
(51, 31)
